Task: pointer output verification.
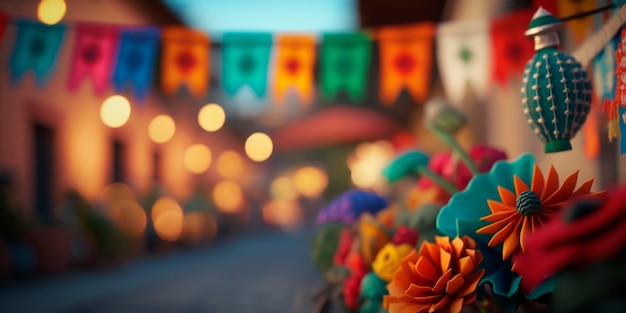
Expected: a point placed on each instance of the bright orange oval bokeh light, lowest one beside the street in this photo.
(167, 218)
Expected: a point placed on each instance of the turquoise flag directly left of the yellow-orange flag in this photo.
(245, 59)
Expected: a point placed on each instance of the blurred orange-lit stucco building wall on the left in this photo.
(83, 144)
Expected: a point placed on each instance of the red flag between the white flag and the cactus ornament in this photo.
(510, 48)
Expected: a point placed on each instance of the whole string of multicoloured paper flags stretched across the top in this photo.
(475, 54)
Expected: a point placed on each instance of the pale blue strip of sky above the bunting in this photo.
(304, 16)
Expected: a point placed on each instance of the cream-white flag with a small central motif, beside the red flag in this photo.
(463, 56)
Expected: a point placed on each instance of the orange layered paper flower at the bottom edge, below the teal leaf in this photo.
(440, 278)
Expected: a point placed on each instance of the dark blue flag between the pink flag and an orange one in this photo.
(135, 60)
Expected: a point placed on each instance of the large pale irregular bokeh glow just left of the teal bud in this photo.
(367, 161)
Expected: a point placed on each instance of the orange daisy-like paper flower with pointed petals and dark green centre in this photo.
(521, 213)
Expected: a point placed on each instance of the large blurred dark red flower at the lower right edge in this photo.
(586, 232)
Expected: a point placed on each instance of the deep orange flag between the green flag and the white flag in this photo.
(406, 59)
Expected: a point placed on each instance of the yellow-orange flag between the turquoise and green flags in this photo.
(294, 67)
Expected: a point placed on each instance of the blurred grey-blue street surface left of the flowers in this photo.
(254, 272)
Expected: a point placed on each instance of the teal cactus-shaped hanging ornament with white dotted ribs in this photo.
(556, 92)
